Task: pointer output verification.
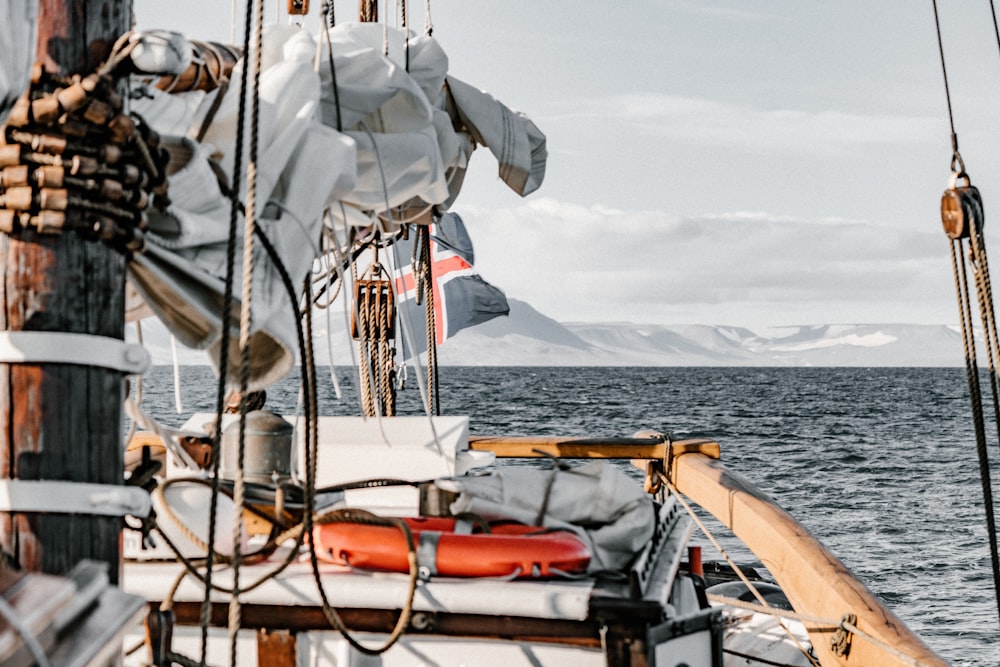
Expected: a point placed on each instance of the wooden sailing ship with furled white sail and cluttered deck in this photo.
(377, 539)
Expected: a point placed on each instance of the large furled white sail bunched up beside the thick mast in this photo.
(388, 138)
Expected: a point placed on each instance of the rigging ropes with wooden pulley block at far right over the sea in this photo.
(962, 217)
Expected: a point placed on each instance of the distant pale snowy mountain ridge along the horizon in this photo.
(528, 338)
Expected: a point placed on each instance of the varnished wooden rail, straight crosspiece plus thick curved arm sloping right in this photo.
(814, 580)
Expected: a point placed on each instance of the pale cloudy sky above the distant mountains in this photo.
(756, 164)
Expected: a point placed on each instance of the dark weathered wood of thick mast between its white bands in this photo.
(63, 421)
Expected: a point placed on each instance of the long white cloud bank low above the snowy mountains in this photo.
(594, 263)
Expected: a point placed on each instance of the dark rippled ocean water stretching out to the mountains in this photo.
(878, 463)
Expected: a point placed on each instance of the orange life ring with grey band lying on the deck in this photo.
(509, 549)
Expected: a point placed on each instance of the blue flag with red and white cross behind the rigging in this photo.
(461, 297)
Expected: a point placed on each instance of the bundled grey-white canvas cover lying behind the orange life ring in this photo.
(597, 501)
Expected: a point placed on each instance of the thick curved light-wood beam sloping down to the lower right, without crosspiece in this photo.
(814, 580)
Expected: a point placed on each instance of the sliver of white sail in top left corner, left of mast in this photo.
(18, 20)
